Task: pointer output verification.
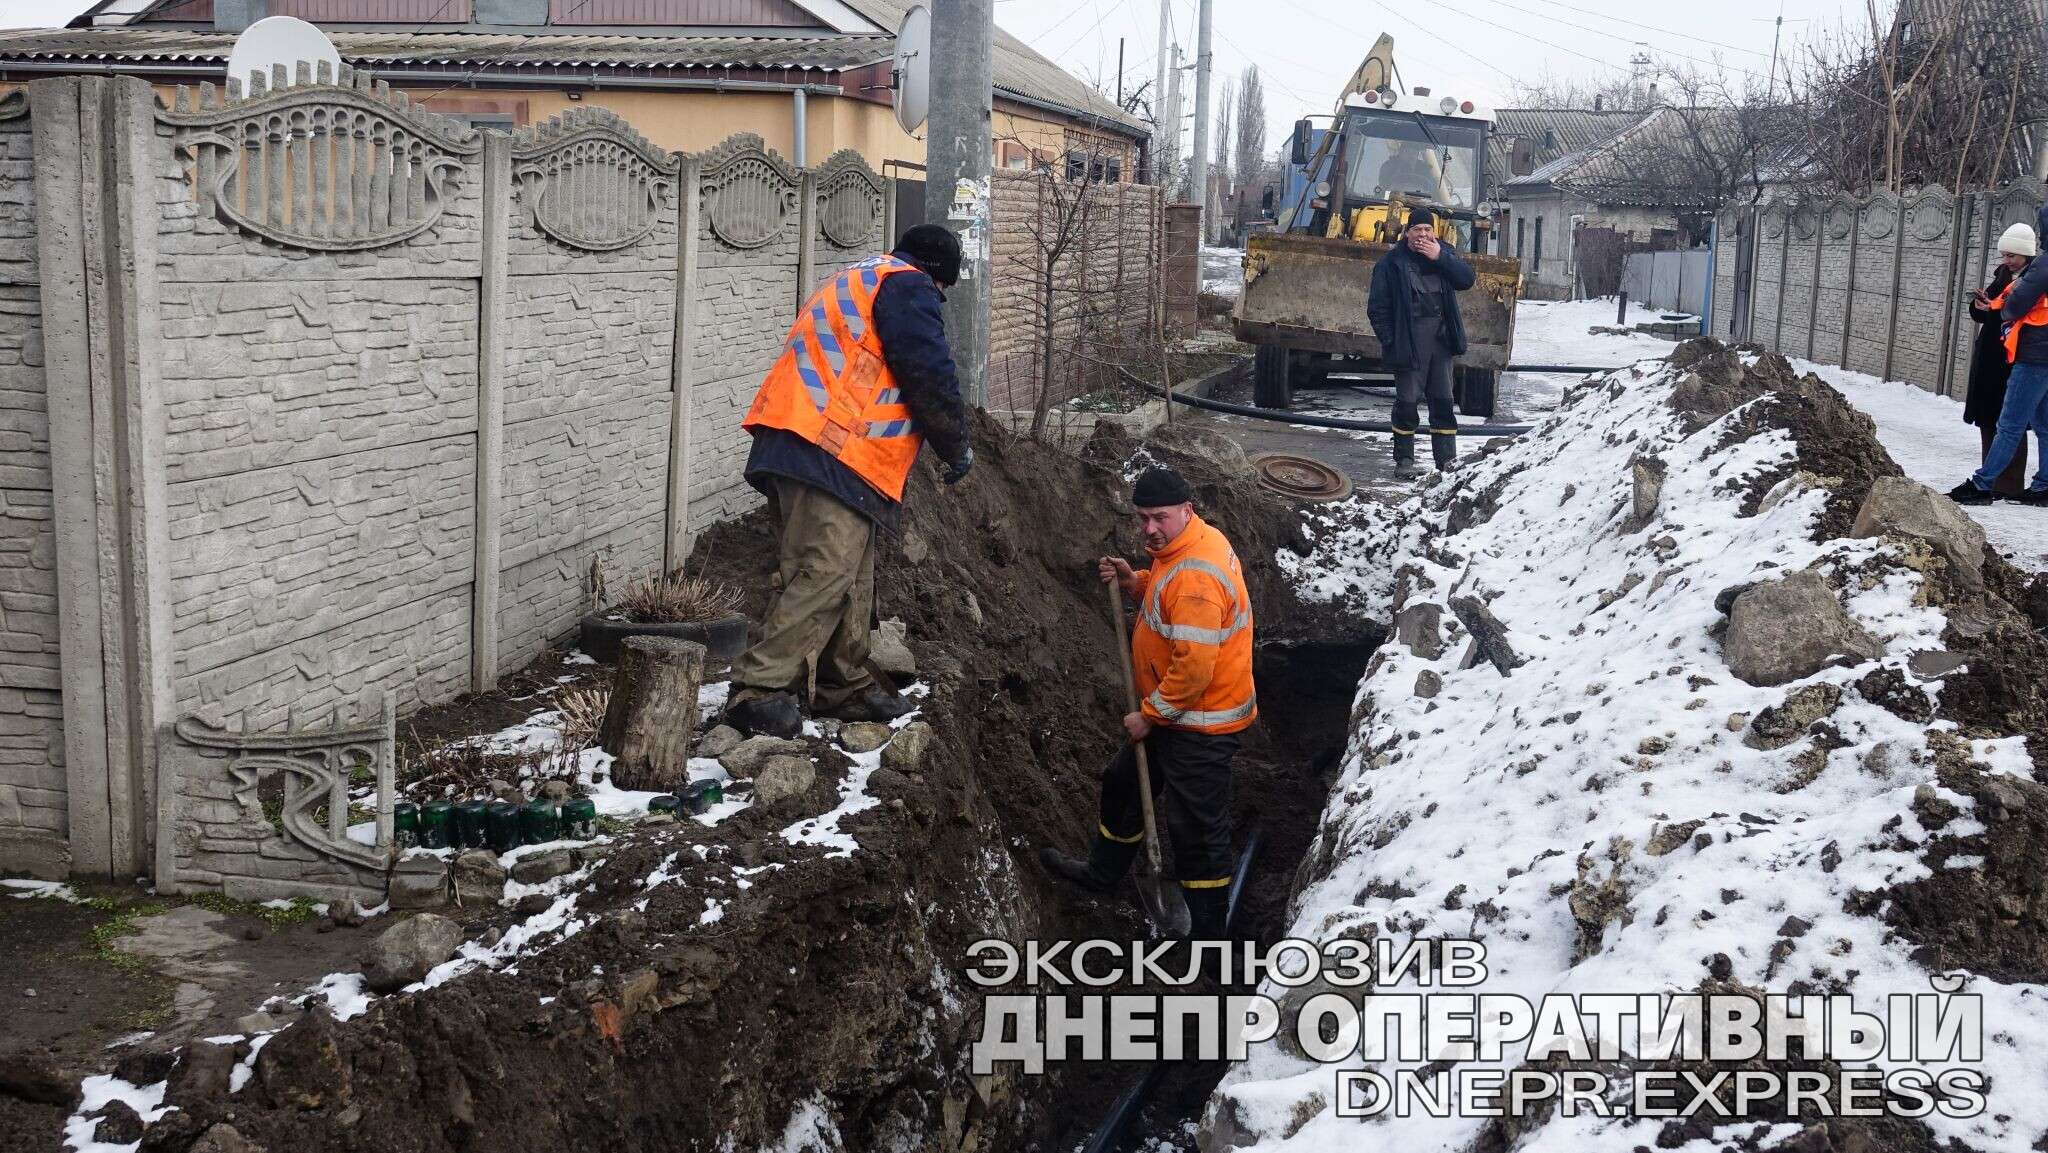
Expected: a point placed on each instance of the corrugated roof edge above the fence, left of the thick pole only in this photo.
(466, 50)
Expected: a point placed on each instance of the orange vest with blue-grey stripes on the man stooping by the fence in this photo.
(833, 386)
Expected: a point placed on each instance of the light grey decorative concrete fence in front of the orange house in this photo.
(310, 398)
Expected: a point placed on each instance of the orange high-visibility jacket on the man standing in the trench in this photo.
(1193, 644)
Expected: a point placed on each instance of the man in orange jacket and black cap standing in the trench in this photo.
(1193, 663)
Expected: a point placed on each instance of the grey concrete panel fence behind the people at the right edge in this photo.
(1879, 286)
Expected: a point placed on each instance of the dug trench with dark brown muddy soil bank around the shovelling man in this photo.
(753, 988)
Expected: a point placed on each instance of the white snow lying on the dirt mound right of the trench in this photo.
(1486, 808)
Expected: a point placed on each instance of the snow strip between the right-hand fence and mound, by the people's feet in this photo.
(1930, 441)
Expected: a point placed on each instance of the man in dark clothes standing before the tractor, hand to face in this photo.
(1414, 310)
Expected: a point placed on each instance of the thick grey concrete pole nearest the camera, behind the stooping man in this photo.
(957, 155)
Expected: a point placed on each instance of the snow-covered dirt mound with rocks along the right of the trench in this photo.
(1691, 693)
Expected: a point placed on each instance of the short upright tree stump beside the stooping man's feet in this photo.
(652, 714)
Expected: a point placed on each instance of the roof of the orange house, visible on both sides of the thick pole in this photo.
(1021, 73)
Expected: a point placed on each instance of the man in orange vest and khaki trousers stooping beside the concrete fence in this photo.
(865, 378)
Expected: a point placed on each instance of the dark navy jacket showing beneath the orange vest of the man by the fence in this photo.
(914, 345)
